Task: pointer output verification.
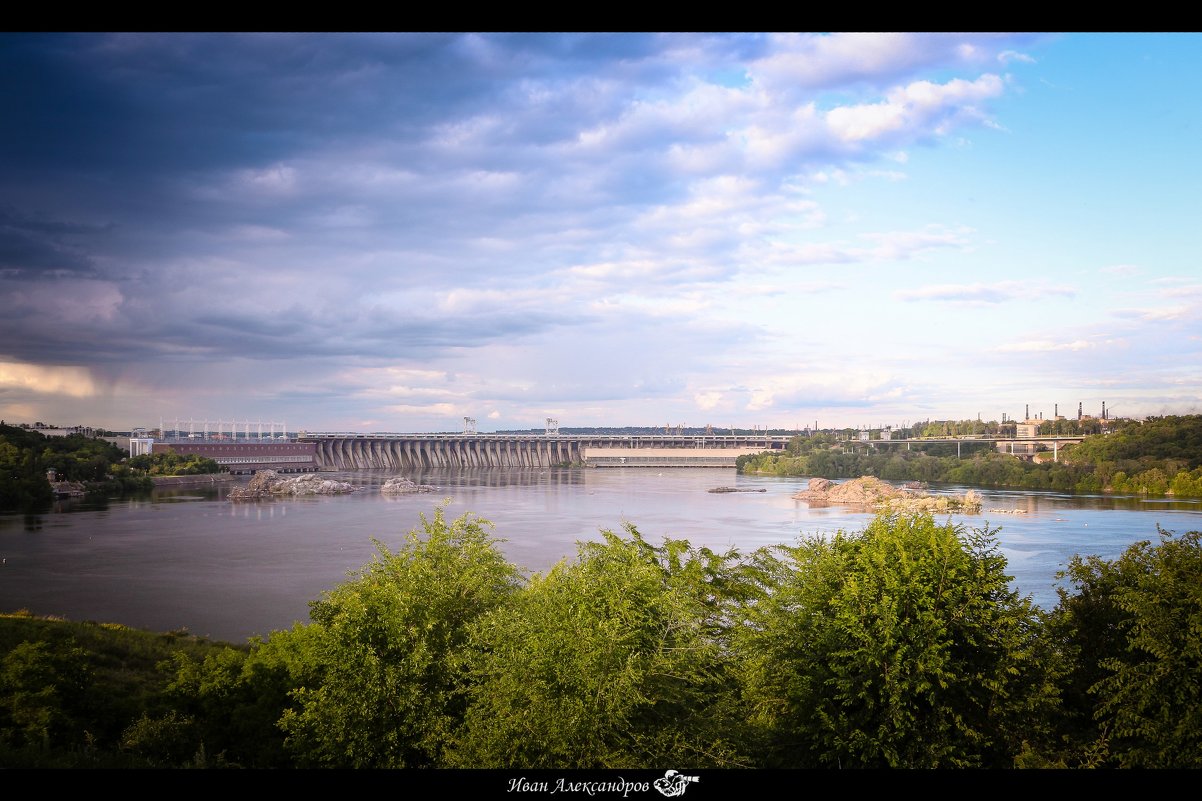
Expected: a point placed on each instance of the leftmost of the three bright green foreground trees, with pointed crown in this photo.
(384, 651)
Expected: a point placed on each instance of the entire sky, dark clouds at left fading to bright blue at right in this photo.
(394, 233)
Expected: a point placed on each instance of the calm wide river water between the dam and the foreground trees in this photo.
(193, 560)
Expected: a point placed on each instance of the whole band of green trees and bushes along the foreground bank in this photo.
(902, 645)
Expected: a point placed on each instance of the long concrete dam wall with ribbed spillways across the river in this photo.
(353, 452)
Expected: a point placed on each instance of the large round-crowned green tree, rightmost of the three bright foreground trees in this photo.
(901, 646)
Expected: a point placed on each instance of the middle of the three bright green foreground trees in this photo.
(618, 660)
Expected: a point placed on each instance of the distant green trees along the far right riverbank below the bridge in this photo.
(1157, 458)
